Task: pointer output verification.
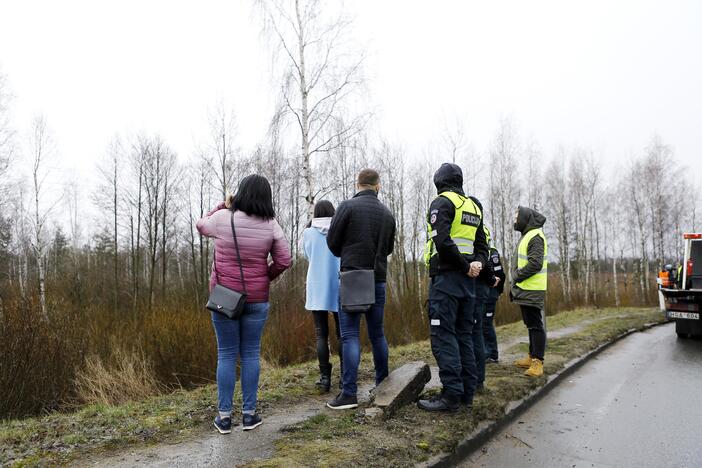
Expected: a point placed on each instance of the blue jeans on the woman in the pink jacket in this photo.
(240, 338)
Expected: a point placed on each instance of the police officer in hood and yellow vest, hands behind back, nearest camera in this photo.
(456, 252)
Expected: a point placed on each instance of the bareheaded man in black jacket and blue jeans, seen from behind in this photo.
(362, 233)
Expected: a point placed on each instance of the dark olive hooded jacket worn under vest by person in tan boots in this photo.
(528, 219)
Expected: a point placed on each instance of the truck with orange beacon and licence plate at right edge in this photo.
(681, 289)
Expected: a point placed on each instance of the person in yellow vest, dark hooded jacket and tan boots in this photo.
(529, 281)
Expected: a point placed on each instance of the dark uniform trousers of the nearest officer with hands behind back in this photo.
(451, 320)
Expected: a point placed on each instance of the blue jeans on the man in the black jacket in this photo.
(350, 323)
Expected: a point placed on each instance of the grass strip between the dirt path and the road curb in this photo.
(348, 439)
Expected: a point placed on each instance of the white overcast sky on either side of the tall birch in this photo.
(605, 75)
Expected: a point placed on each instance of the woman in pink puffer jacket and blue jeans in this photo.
(260, 237)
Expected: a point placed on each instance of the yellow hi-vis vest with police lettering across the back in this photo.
(463, 227)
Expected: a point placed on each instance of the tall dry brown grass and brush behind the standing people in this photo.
(40, 362)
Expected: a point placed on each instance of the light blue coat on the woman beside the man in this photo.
(323, 269)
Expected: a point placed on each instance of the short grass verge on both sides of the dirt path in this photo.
(325, 439)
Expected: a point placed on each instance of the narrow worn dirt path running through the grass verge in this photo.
(213, 449)
